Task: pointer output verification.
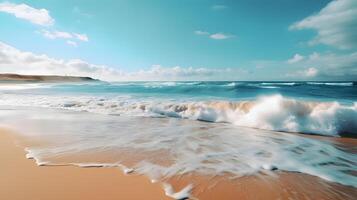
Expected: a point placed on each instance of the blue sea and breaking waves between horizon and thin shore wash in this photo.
(326, 108)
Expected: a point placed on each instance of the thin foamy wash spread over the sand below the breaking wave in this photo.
(182, 146)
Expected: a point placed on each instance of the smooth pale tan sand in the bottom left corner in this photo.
(22, 179)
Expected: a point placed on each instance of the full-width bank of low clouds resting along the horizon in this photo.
(316, 66)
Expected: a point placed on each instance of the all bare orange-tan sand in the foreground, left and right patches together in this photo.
(21, 179)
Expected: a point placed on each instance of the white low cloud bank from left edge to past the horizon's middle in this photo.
(13, 60)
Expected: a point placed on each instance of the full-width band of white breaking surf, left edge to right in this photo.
(271, 113)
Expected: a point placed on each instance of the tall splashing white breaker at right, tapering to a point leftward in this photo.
(270, 113)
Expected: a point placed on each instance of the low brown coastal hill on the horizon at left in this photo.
(42, 78)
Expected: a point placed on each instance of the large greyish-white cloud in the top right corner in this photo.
(336, 24)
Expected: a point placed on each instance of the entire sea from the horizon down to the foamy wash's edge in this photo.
(162, 129)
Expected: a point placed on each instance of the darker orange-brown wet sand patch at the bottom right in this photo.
(292, 186)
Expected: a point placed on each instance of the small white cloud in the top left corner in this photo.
(23, 11)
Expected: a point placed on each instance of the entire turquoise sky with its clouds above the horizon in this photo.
(179, 40)
